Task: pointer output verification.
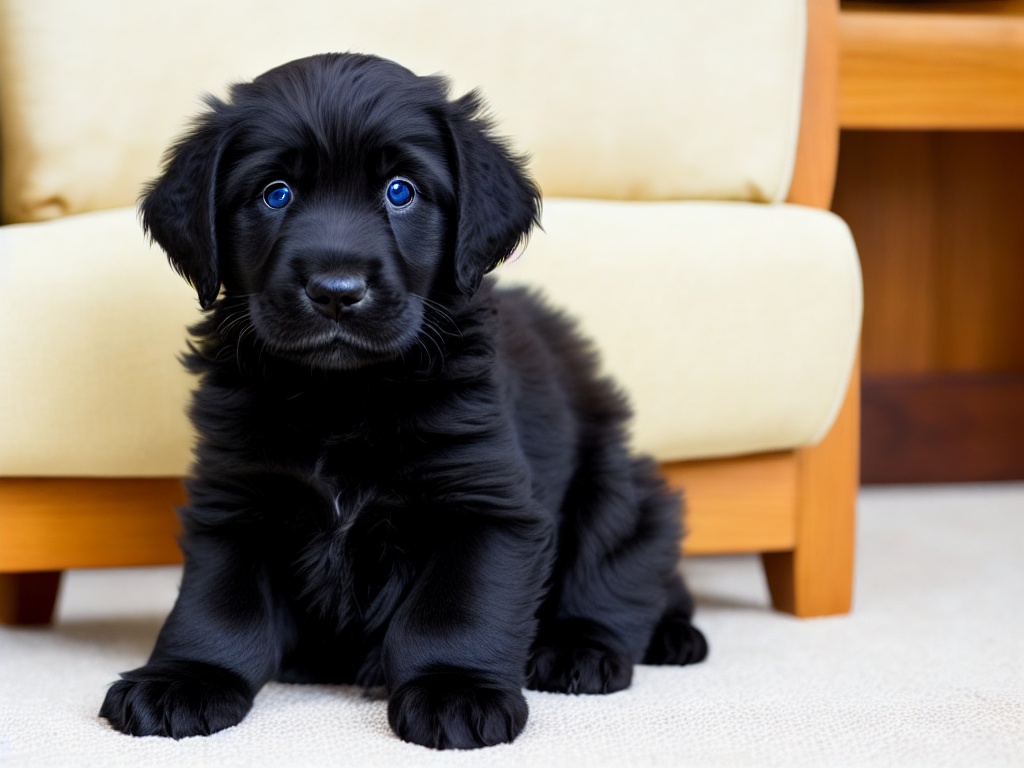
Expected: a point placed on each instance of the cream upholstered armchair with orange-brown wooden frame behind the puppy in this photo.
(687, 155)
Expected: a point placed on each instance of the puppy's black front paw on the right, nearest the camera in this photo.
(456, 711)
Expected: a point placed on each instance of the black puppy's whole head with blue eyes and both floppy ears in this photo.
(339, 198)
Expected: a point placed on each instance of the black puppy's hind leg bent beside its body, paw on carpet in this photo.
(616, 580)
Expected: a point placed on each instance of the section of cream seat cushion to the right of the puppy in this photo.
(734, 327)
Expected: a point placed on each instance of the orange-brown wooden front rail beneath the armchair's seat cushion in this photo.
(735, 505)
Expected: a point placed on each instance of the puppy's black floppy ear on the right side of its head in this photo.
(498, 204)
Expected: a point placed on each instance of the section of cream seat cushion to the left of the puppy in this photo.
(92, 321)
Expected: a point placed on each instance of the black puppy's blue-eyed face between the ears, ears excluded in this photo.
(337, 194)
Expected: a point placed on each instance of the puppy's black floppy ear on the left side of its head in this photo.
(180, 208)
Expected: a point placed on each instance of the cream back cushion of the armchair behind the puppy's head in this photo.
(642, 100)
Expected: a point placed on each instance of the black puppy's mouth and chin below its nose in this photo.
(345, 345)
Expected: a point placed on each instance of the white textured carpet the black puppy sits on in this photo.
(928, 670)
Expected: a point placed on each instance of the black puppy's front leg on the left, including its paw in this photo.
(218, 649)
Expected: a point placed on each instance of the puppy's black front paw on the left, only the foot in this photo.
(177, 700)
